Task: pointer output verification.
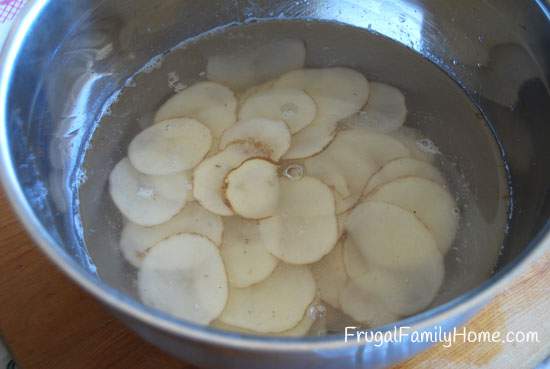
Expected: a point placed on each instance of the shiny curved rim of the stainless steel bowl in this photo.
(462, 305)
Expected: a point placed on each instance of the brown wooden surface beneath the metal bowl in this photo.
(49, 323)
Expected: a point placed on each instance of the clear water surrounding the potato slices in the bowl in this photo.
(442, 122)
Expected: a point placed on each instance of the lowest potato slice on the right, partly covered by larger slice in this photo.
(403, 293)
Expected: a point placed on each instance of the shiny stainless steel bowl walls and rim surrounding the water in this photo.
(67, 58)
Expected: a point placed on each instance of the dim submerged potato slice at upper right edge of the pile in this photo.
(385, 110)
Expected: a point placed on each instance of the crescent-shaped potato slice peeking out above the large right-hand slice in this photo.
(404, 167)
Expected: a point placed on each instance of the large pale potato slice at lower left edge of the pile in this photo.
(184, 276)
